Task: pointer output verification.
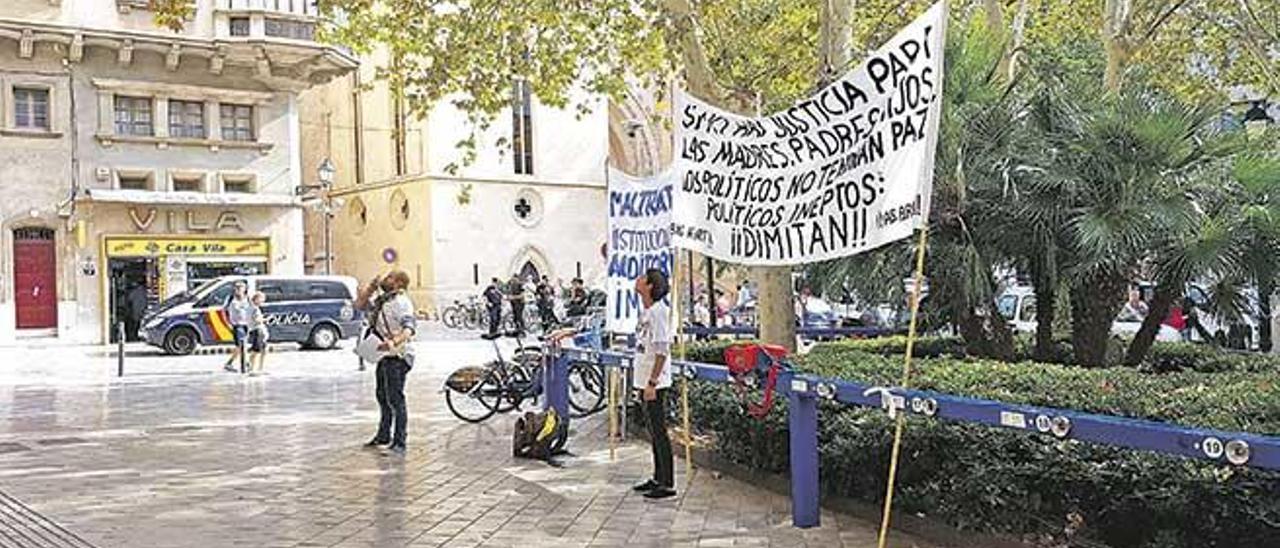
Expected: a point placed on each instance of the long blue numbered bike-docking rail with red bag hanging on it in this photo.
(804, 392)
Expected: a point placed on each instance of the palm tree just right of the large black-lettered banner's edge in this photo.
(980, 130)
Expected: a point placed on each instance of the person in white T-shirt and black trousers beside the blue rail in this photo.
(653, 375)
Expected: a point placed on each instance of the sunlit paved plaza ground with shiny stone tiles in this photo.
(179, 454)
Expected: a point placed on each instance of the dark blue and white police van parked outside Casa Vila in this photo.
(316, 312)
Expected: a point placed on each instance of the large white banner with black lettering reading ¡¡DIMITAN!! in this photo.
(842, 172)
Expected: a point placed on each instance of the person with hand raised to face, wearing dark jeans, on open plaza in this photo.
(392, 319)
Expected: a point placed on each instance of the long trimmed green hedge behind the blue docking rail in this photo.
(1009, 482)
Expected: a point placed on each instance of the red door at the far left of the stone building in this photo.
(35, 276)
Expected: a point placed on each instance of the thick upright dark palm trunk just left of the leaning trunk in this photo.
(1095, 303)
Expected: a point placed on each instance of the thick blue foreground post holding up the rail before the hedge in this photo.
(803, 428)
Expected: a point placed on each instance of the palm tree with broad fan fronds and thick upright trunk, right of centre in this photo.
(1119, 168)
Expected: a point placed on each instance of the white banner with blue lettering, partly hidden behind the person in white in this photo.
(639, 240)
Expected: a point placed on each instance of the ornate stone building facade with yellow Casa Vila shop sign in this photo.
(136, 157)
